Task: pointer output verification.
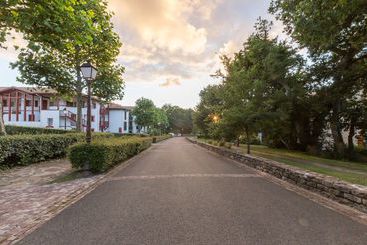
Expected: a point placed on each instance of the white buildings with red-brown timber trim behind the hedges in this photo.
(43, 108)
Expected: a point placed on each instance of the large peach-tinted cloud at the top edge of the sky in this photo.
(162, 24)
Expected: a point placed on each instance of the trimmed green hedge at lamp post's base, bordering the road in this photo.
(103, 154)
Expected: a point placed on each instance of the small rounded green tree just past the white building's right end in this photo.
(144, 112)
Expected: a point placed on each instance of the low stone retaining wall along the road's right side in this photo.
(340, 191)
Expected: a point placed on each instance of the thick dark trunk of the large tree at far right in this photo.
(336, 130)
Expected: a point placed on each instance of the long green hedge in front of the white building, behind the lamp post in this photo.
(21, 150)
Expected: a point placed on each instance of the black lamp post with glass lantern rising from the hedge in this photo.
(89, 73)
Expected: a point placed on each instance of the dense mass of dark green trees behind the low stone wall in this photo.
(268, 86)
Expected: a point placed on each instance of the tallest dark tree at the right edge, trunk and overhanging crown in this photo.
(335, 34)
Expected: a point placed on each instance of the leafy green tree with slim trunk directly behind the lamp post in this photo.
(58, 67)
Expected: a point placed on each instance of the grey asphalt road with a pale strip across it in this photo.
(178, 193)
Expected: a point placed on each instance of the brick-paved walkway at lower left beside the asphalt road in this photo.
(27, 198)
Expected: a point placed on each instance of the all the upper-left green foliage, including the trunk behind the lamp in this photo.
(81, 31)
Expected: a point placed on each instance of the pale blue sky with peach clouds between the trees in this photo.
(171, 47)
